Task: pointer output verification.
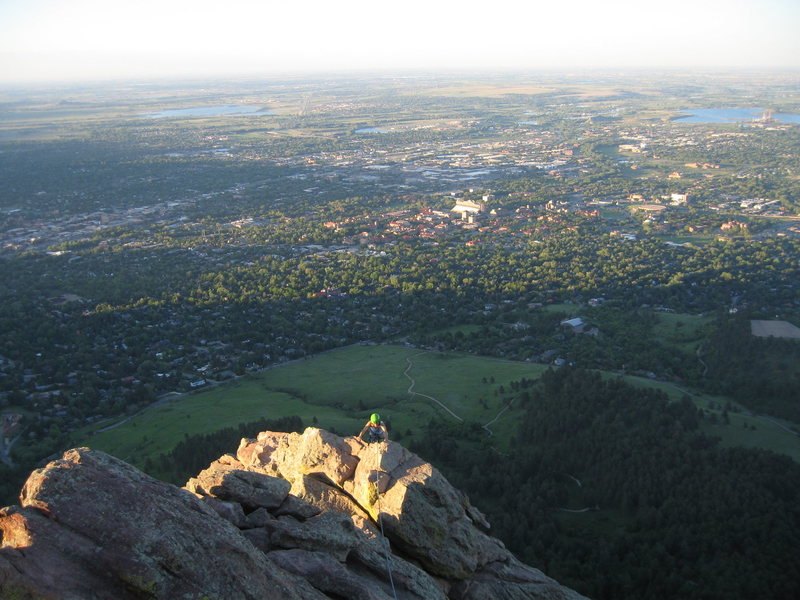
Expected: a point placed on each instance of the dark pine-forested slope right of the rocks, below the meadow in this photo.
(671, 514)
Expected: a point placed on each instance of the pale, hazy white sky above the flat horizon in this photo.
(118, 39)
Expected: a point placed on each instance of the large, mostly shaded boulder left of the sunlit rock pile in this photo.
(93, 526)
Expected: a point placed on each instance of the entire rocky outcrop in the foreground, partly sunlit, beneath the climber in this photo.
(292, 516)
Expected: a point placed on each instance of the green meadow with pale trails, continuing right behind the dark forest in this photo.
(339, 389)
